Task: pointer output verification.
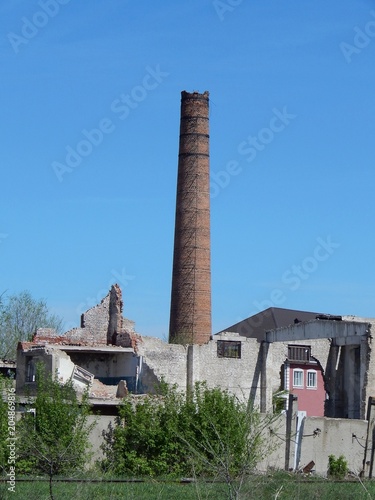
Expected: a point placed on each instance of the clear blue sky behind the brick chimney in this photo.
(292, 152)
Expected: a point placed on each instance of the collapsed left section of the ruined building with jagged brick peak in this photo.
(98, 355)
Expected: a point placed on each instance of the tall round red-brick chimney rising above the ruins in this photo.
(190, 320)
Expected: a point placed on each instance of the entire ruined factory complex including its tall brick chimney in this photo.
(325, 363)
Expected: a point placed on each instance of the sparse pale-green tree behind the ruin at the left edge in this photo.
(20, 316)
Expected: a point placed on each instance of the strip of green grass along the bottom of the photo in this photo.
(276, 486)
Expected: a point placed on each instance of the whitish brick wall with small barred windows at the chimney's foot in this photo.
(256, 376)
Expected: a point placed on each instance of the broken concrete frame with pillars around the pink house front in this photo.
(342, 349)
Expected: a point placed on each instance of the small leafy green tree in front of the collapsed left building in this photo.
(53, 438)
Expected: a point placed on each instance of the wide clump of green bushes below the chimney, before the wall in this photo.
(207, 433)
